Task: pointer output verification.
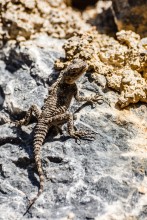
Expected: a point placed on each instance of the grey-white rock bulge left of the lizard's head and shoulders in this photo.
(31, 66)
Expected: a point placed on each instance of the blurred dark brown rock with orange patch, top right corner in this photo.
(131, 15)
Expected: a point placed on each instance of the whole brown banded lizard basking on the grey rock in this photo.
(55, 111)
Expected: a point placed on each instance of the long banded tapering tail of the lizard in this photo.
(40, 133)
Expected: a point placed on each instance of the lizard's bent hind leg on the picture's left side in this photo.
(33, 109)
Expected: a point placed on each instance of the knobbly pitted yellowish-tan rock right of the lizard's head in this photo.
(123, 62)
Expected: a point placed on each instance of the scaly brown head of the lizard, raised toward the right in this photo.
(74, 71)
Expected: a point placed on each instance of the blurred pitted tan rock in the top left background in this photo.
(22, 20)
